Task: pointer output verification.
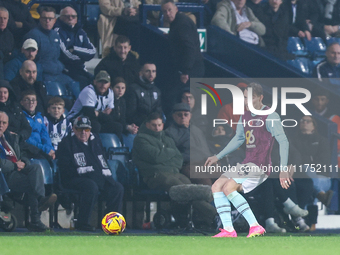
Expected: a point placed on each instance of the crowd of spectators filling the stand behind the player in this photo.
(122, 97)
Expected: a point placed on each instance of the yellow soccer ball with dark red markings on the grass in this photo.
(113, 223)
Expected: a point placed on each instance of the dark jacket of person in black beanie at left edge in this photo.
(17, 120)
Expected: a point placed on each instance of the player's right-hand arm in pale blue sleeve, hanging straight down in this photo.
(275, 128)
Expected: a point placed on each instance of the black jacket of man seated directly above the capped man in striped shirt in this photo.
(115, 67)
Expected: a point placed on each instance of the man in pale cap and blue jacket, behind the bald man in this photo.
(29, 51)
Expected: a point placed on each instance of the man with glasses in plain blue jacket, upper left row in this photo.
(48, 42)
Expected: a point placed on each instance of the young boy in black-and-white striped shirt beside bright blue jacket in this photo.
(56, 124)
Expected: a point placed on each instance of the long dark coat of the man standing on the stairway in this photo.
(185, 46)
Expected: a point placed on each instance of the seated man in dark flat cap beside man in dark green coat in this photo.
(180, 131)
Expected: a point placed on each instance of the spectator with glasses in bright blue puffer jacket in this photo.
(39, 136)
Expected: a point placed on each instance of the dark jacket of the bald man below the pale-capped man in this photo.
(19, 85)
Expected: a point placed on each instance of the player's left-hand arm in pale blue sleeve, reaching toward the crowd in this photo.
(233, 145)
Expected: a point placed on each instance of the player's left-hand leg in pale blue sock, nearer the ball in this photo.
(223, 208)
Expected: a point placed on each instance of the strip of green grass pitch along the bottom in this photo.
(101, 244)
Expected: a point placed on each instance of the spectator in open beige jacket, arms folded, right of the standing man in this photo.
(238, 19)
